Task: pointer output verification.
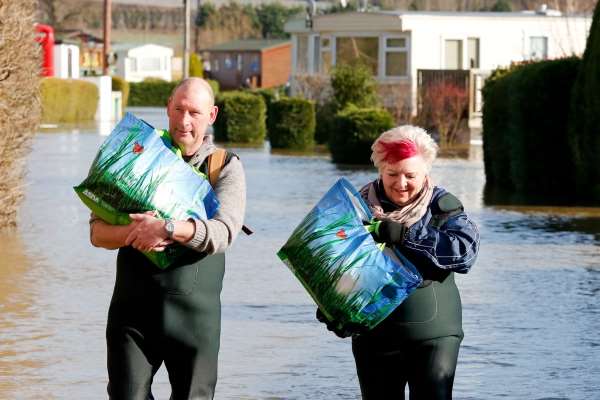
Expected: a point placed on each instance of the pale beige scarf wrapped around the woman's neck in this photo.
(407, 214)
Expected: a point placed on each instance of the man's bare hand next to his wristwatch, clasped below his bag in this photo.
(147, 233)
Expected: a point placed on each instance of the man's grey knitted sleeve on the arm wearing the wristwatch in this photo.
(218, 233)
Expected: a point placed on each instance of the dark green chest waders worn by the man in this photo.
(171, 316)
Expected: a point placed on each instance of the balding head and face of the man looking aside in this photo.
(190, 112)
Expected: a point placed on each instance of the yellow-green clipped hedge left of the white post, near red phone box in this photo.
(68, 100)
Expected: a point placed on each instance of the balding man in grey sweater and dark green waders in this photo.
(173, 315)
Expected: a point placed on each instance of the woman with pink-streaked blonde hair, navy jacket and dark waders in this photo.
(418, 343)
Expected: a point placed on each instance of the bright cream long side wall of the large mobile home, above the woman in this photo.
(501, 40)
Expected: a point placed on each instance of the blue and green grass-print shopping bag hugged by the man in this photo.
(137, 169)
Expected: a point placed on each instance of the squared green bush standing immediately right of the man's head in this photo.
(241, 118)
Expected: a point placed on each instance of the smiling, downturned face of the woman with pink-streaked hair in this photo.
(403, 180)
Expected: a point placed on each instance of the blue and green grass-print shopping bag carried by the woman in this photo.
(352, 278)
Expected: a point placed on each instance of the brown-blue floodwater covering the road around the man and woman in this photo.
(531, 303)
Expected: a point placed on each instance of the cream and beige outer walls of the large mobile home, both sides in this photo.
(503, 37)
